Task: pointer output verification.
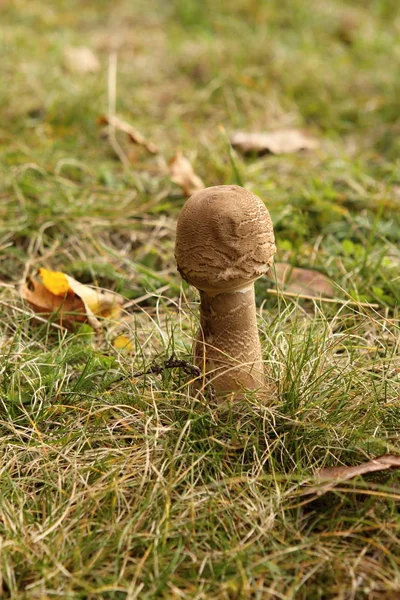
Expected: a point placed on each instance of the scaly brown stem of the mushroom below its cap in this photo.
(227, 347)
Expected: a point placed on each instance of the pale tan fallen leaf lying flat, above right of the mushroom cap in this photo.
(283, 141)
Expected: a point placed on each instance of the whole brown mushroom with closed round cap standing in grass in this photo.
(224, 242)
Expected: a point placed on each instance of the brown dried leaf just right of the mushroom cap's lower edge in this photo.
(302, 281)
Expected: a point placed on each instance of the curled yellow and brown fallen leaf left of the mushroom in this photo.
(68, 300)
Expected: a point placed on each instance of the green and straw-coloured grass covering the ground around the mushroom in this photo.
(115, 486)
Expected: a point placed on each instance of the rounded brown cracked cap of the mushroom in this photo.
(224, 239)
